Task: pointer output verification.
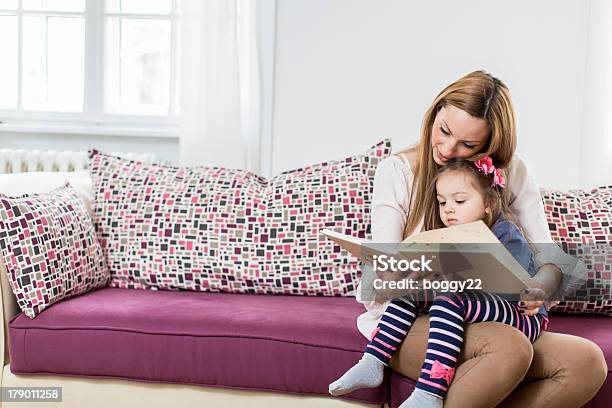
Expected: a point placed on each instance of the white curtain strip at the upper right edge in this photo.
(596, 146)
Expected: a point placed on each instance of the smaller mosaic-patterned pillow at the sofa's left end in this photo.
(49, 248)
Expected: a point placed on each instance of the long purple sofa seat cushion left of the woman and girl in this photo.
(280, 343)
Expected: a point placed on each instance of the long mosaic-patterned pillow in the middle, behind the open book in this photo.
(226, 230)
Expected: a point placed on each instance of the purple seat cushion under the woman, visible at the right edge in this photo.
(594, 328)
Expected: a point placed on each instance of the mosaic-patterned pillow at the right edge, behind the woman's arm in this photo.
(581, 223)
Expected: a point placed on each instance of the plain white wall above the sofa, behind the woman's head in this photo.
(351, 72)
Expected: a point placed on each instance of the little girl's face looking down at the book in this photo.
(458, 200)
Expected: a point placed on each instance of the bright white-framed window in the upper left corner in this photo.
(90, 62)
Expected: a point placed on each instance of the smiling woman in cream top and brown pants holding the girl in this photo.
(469, 119)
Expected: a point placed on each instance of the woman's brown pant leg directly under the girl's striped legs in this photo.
(494, 360)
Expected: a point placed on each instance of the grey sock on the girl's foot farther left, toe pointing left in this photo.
(367, 373)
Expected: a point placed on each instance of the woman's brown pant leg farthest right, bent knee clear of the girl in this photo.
(566, 372)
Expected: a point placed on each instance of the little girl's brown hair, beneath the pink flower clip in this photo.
(495, 197)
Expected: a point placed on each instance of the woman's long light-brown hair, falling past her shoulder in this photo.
(482, 96)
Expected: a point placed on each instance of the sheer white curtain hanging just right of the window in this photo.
(221, 106)
